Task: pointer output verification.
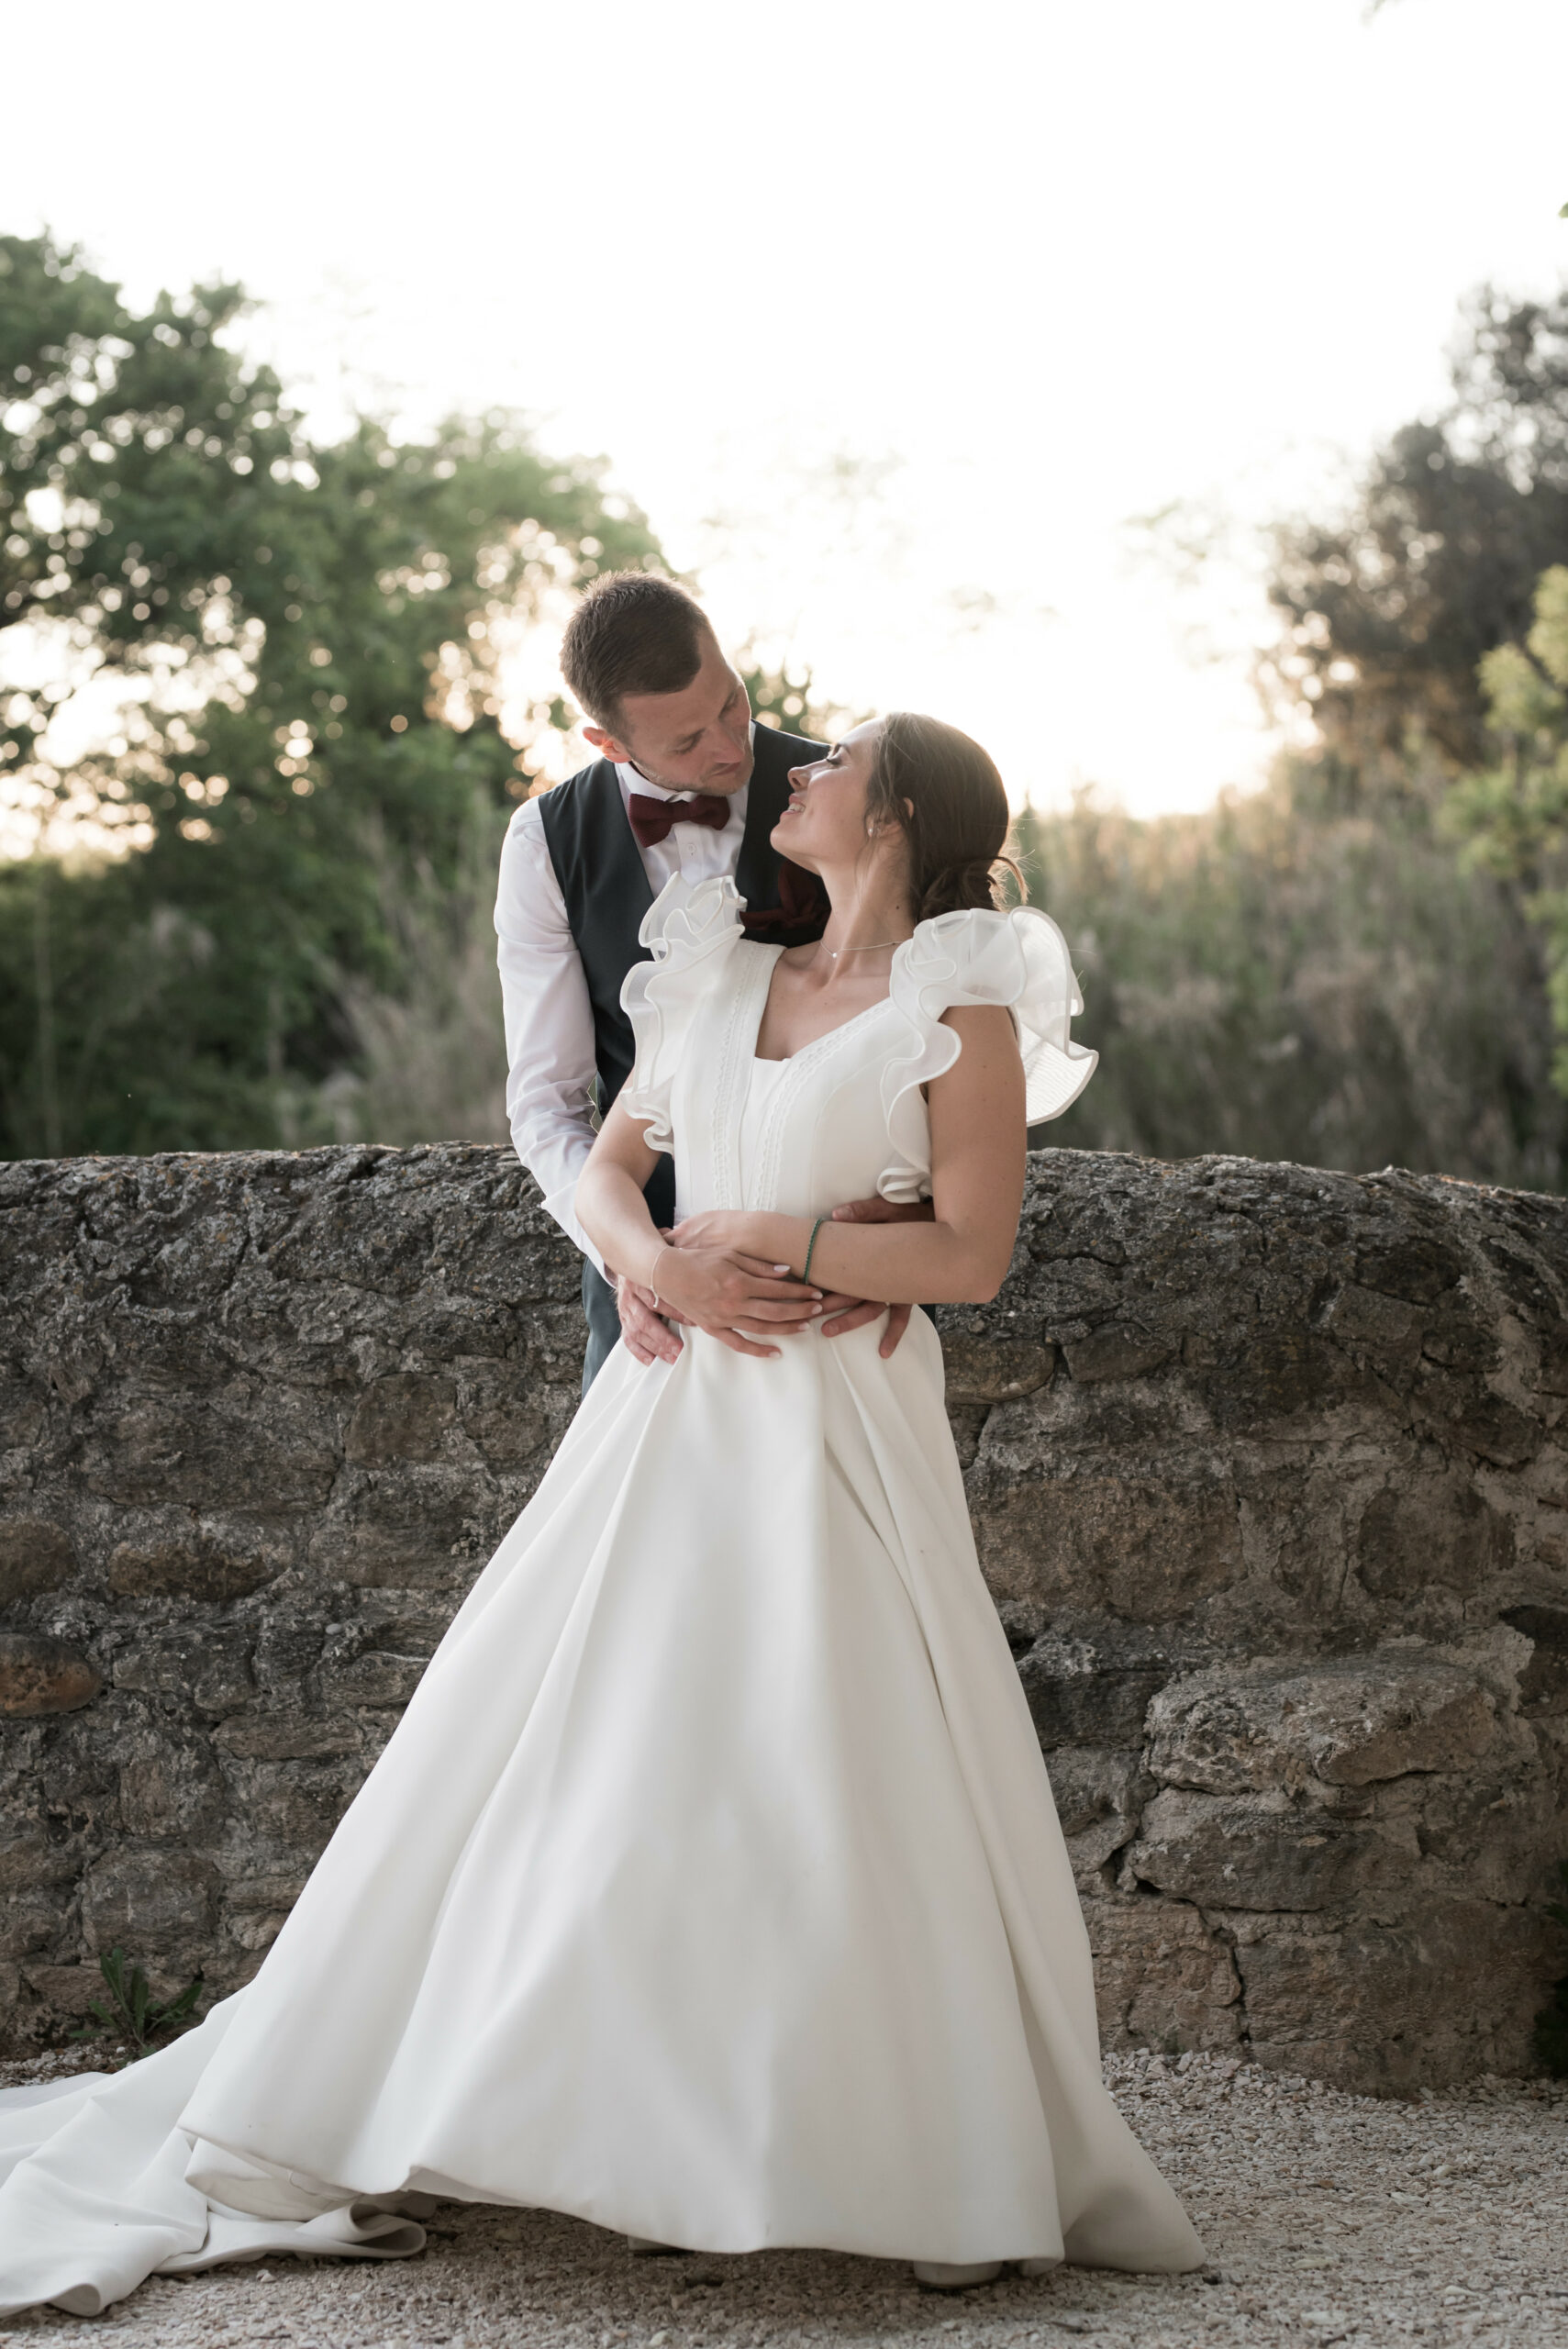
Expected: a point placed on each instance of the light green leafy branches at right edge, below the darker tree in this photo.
(1513, 814)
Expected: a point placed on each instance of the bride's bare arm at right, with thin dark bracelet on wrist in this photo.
(978, 1190)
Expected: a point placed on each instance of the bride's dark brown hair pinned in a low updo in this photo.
(949, 802)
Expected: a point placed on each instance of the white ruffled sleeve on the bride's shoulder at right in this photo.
(1018, 960)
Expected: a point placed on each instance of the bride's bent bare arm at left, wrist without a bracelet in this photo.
(712, 1286)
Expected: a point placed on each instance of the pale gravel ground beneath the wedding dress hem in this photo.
(1330, 2219)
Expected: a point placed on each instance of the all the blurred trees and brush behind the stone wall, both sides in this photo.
(262, 748)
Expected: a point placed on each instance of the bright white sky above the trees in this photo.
(891, 316)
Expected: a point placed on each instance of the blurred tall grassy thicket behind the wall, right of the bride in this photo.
(1285, 981)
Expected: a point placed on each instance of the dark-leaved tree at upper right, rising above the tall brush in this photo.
(1391, 612)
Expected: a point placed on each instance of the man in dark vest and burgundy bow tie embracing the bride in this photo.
(687, 786)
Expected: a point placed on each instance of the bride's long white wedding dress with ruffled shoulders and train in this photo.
(712, 1885)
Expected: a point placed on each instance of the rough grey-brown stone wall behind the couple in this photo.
(1266, 1474)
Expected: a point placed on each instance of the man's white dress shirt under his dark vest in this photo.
(550, 1018)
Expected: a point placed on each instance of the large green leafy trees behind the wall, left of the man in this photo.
(306, 649)
